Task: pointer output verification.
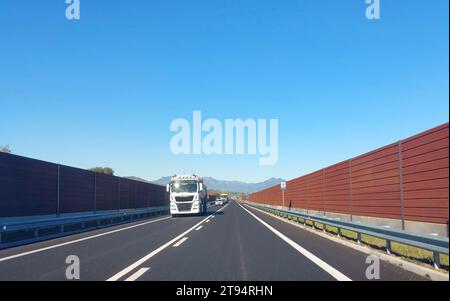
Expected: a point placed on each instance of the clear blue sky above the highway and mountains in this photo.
(102, 91)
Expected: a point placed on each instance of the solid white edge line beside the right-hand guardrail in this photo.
(322, 264)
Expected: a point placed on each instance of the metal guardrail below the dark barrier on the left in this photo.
(15, 233)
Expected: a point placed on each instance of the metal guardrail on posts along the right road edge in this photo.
(436, 245)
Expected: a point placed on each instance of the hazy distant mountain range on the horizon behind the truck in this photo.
(228, 186)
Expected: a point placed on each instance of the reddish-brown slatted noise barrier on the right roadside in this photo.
(407, 180)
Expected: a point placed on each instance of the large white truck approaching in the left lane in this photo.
(188, 195)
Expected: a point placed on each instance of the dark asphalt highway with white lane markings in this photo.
(230, 243)
